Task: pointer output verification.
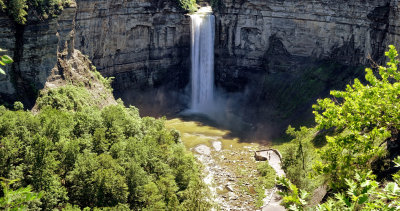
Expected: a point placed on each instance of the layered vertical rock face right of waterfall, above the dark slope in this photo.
(268, 36)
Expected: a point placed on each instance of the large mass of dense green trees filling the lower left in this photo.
(77, 154)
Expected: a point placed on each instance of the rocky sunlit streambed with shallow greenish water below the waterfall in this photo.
(230, 166)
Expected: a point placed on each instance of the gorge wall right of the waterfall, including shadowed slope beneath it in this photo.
(288, 53)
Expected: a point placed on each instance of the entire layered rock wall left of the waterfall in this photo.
(140, 43)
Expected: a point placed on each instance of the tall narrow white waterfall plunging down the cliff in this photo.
(202, 55)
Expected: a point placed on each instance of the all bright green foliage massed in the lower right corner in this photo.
(363, 119)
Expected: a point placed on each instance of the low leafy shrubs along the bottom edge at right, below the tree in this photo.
(363, 193)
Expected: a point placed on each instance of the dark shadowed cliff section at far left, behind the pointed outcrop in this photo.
(35, 49)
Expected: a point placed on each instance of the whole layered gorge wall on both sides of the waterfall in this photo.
(274, 48)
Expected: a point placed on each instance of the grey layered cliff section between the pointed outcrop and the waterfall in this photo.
(140, 43)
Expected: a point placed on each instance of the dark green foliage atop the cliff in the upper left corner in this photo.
(41, 9)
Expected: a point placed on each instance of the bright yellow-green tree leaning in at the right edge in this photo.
(368, 115)
